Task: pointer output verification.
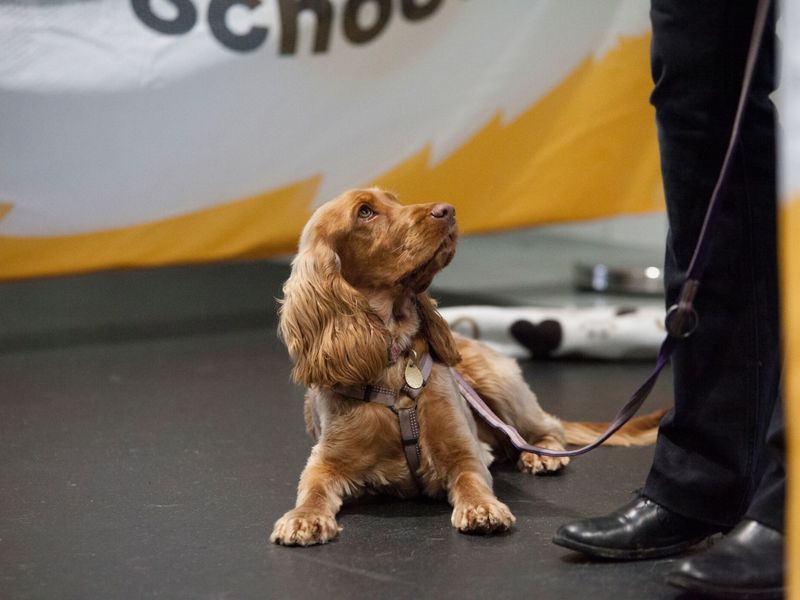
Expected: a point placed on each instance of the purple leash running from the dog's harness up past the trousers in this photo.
(681, 319)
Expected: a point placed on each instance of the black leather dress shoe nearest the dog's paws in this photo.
(640, 529)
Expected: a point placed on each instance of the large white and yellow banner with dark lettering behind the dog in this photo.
(150, 132)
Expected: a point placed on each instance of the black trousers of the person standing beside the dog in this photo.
(719, 456)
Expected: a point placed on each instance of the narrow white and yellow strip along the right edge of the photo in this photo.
(789, 221)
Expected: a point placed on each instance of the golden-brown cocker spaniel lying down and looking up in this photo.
(355, 312)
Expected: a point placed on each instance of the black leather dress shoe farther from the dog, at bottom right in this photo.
(747, 563)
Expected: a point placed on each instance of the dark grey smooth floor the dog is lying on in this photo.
(155, 468)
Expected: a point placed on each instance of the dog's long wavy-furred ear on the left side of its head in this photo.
(332, 334)
